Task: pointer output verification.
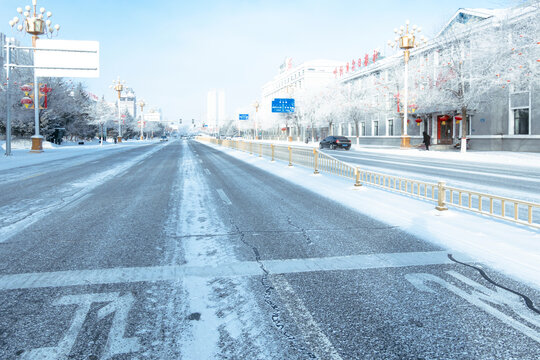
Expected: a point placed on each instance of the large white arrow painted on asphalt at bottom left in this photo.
(116, 343)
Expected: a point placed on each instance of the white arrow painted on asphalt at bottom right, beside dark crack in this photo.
(478, 298)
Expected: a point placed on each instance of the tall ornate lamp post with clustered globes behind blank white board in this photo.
(35, 23)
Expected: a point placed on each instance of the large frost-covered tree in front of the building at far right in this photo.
(470, 68)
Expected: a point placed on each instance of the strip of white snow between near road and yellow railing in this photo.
(509, 248)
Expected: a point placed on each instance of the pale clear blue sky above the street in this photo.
(173, 52)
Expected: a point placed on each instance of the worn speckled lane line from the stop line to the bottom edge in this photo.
(320, 345)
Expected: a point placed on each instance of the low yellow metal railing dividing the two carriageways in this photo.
(508, 209)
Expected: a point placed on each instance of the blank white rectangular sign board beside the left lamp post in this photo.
(76, 58)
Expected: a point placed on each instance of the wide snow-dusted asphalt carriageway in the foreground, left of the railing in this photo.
(180, 251)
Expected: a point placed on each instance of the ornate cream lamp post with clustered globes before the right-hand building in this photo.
(406, 41)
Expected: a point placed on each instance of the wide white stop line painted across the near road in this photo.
(246, 268)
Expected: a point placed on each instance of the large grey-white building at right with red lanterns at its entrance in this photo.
(482, 61)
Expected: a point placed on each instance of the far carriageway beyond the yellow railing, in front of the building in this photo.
(517, 181)
